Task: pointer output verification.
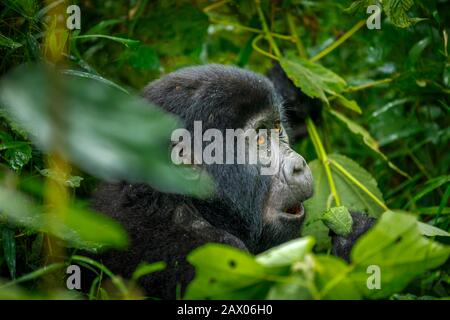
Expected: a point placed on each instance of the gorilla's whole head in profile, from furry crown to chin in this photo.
(261, 209)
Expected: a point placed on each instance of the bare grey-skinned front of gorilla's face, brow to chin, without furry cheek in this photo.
(282, 212)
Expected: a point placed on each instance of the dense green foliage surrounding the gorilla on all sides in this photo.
(70, 115)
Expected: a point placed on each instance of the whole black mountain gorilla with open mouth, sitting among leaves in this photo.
(248, 210)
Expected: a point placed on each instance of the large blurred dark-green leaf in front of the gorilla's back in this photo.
(104, 131)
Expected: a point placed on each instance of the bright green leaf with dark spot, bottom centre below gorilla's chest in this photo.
(224, 272)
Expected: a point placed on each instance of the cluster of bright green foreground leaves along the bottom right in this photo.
(291, 271)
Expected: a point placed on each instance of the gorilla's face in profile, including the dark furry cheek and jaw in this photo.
(265, 207)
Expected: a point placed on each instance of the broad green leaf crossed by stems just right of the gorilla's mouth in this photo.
(351, 196)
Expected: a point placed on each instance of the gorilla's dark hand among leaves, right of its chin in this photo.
(342, 245)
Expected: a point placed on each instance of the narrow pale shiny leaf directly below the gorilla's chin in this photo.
(286, 253)
